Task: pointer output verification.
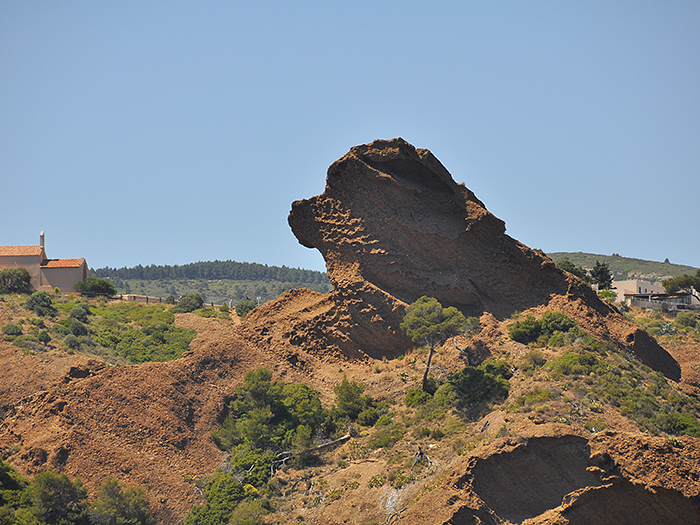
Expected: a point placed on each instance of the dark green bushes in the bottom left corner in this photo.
(55, 499)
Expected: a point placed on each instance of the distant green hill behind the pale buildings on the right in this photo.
(624, 268)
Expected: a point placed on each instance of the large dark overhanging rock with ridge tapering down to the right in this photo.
(392, 225)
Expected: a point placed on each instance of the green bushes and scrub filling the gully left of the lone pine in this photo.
(272, 425)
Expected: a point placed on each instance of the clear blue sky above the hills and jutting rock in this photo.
(174, 132)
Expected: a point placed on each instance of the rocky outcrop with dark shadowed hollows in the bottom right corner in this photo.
(560, 477)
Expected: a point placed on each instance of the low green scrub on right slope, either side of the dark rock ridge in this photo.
(586, 378)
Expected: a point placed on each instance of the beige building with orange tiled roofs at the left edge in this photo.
(46, 273)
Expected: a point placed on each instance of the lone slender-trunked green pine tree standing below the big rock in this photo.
(427, 322)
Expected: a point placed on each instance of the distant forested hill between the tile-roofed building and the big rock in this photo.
(215, 281)
